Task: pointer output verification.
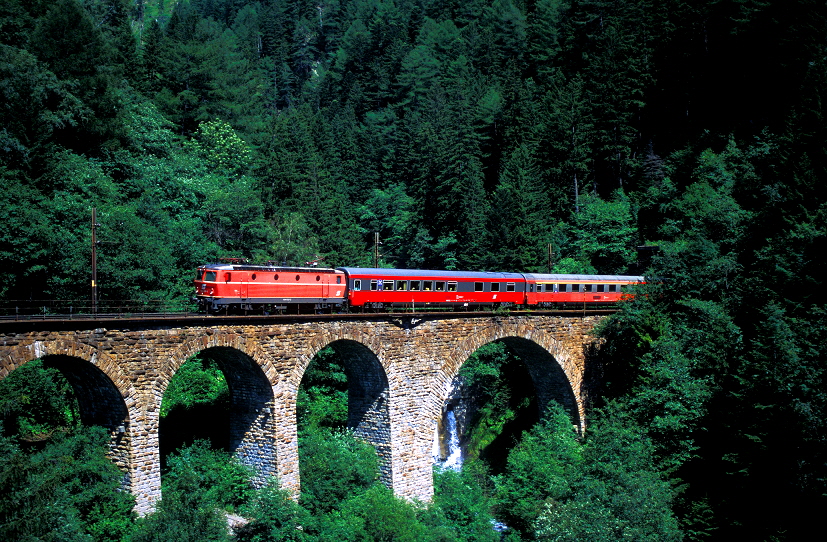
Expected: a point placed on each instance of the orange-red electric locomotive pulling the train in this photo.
(229, 287)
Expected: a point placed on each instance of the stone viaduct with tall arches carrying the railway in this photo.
(400, 369)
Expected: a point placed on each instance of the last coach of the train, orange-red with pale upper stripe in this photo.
(580, 290)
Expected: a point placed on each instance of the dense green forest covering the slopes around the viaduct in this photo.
(470, 135)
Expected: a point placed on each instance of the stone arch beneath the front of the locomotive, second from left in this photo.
(251, 377)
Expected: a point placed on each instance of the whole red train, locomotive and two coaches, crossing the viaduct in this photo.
(238, 287)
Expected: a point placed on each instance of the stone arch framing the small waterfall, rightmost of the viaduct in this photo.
(555, 371)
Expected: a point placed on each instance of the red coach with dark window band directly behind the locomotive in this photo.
(377, 288)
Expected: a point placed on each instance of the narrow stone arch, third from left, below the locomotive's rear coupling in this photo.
(369, 391)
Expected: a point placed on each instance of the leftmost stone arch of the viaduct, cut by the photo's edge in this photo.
(105, 394)
